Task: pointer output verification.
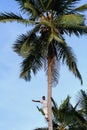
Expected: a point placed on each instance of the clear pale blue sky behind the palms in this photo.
(17, 111)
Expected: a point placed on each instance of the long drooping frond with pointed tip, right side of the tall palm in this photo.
(65, 53)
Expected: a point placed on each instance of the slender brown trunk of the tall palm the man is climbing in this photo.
(50, 127)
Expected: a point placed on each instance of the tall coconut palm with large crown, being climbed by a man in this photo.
(45, 45)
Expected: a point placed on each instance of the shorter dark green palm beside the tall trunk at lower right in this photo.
(68, 117)
